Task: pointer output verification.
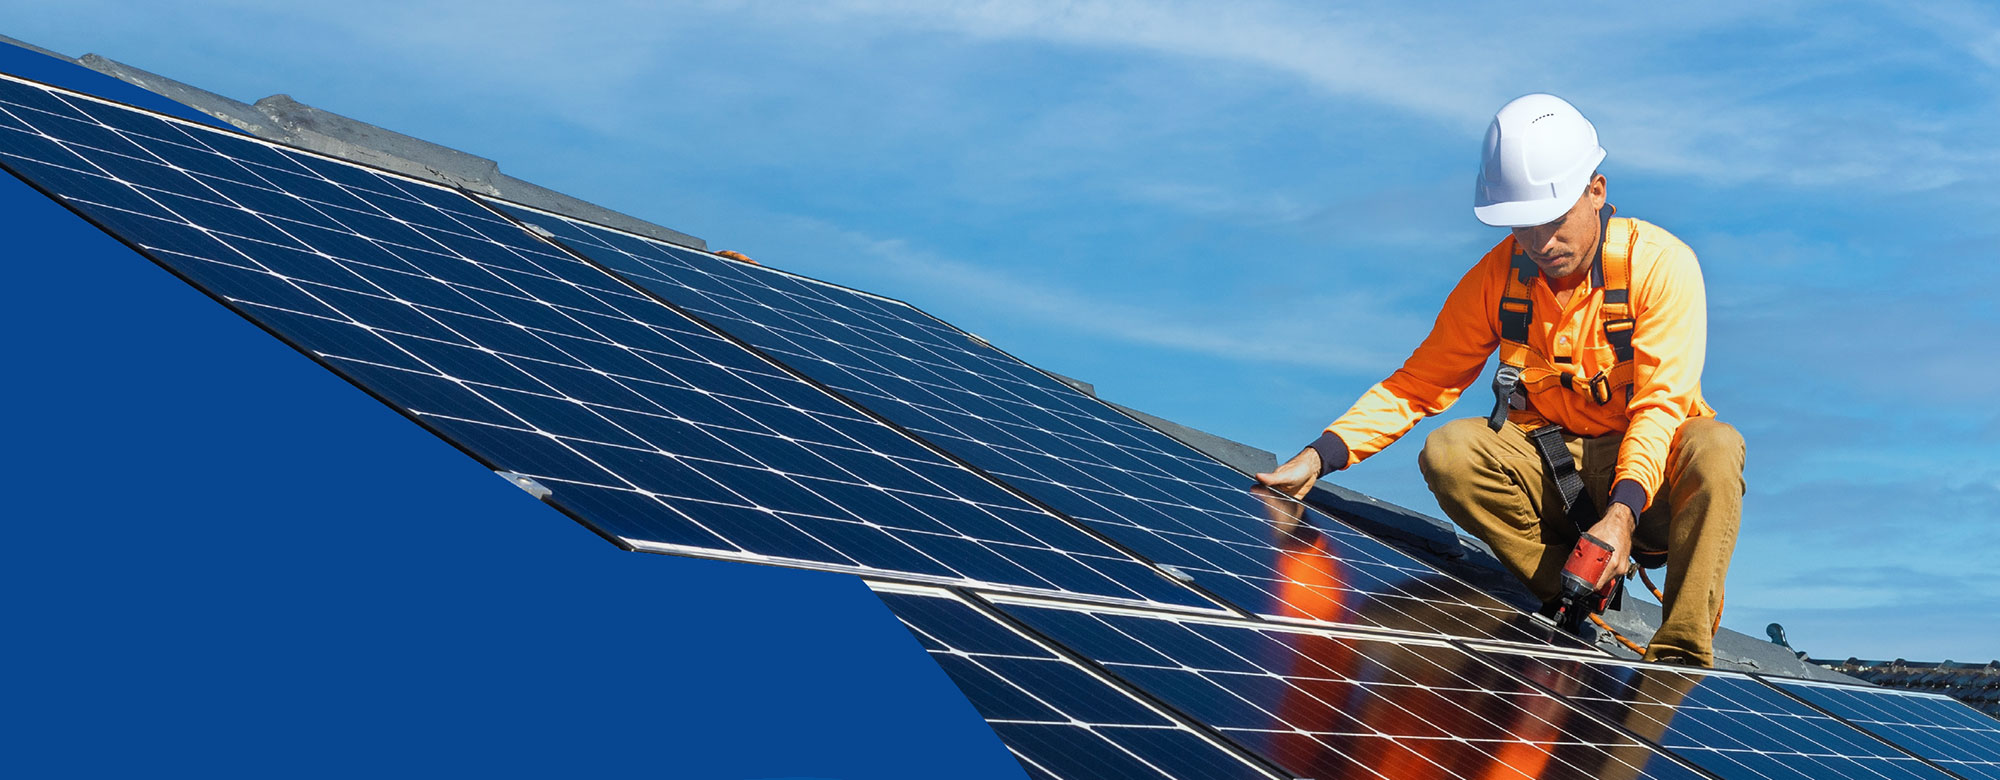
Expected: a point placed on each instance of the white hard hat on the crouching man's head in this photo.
(1539, 159)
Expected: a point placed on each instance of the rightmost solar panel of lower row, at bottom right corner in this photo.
(1927, 725)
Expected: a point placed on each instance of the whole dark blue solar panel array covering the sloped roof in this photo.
(681, 403)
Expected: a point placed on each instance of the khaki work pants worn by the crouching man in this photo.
(1495, 487)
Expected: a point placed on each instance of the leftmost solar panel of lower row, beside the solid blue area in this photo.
(1061, 719)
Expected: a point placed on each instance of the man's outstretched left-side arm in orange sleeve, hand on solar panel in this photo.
(1429, 383)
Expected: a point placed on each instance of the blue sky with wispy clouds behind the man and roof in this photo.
(1243, 215)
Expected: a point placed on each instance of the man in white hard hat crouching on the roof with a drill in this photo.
(1607, 323)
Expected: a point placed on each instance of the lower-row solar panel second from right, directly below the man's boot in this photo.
(1725, 723)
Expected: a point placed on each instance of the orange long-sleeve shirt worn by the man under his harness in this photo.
(1669, 345)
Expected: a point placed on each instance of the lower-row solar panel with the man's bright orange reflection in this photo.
(1327, 705)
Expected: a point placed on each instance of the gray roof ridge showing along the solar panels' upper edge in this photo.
(1433, 541)
